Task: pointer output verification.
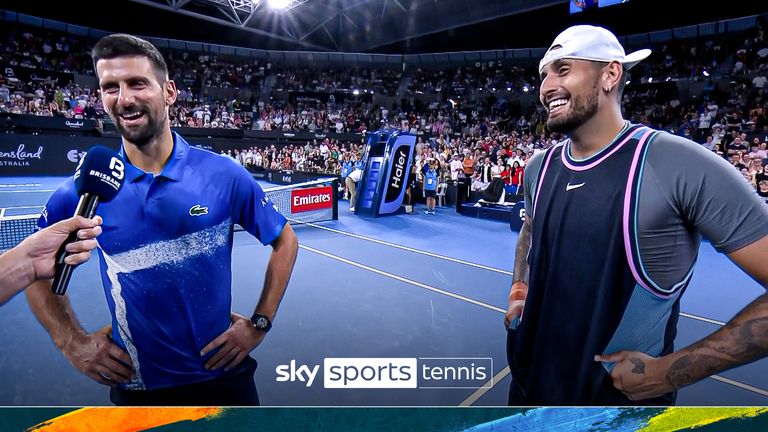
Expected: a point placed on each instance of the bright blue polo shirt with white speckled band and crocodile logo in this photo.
(166, 258)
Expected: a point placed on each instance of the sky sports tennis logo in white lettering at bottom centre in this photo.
(392, 373)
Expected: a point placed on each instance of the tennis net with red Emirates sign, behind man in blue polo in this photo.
(312, 201)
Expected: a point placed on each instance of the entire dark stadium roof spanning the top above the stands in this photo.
(366, 26)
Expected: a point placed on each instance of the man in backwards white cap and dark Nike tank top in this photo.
(651, 212)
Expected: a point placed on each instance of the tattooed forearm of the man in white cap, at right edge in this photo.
(742, 340)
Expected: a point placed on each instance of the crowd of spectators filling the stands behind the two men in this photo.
(496, 133)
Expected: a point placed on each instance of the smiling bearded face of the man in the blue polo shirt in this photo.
(134, 97)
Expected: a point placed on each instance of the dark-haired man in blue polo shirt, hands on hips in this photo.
(165, 254)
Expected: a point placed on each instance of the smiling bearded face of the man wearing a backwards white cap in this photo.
(570, 90)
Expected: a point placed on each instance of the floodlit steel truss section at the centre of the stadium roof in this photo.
(346, 25)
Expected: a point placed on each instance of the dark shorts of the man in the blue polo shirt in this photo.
(234, 388)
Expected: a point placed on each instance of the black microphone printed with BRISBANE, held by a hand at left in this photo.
(98, 178)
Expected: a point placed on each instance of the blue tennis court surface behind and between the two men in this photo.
(405, 286)
